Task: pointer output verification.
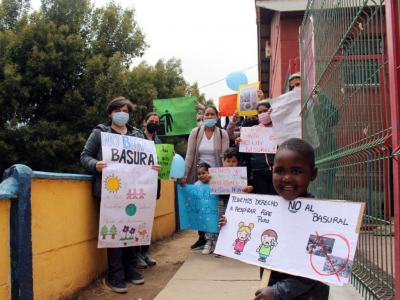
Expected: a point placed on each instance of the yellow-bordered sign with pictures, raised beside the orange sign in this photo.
(247, 99)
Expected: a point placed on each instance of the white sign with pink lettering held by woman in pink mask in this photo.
(258, 139)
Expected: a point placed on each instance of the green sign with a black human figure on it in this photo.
(179, 114)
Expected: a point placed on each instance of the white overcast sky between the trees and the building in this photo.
(211, 37)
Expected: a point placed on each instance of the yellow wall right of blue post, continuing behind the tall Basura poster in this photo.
(65, 226)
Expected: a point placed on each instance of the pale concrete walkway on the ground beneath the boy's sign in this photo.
(207, 277)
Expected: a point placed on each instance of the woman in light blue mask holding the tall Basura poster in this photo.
(119, 259)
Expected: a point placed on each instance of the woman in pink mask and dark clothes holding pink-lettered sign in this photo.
(261, 164)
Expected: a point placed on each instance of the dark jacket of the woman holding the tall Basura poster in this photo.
(91, 154)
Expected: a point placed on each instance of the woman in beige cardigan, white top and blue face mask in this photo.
(206, 144)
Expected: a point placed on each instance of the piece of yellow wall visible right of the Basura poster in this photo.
(164, 217)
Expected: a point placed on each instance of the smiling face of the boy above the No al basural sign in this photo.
(292, 174)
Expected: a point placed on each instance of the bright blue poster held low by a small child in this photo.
(198, 209)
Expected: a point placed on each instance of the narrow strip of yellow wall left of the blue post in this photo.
(4, 249)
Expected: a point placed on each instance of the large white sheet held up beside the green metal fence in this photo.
(286, 115)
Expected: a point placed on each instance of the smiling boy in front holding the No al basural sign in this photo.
(293, 171)
